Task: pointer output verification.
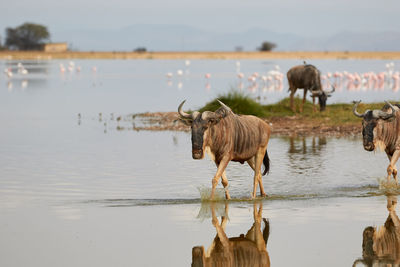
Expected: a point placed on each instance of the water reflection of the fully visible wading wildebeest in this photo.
(244, 250)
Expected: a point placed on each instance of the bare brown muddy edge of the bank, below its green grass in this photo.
(281, 126)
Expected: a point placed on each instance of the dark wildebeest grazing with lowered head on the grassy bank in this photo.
(307, 77)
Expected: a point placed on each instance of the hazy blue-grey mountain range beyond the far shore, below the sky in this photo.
(186, 38)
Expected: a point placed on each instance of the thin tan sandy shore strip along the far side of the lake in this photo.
(26, 55)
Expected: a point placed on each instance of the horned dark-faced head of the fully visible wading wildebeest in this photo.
(200, 124)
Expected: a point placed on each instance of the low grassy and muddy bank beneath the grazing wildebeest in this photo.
(337, 120)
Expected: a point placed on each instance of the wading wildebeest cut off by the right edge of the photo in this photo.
(381, 129)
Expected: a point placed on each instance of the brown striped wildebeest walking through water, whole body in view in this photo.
(226, 136)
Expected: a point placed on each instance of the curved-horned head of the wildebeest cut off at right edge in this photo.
(372, 118)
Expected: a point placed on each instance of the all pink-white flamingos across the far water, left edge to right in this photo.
(272, 80)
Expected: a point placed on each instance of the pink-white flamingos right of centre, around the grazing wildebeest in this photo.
(273, 80)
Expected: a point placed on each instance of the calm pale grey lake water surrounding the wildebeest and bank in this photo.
(75, 191)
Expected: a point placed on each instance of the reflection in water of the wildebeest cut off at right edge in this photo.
(381, 246)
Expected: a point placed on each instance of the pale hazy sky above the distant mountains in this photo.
(307, 18)
